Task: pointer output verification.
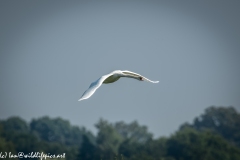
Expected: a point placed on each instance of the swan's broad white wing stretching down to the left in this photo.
(93, 87)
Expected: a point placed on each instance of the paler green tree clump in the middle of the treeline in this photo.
(110, 136)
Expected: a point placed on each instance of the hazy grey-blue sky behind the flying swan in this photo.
(51, 51)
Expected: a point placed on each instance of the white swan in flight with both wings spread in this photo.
(110, 78)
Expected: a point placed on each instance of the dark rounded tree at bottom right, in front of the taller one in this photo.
(191, 144)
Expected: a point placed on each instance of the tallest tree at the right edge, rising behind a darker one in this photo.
(222, 120)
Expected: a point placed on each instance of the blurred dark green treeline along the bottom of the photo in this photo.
(214, 135)
